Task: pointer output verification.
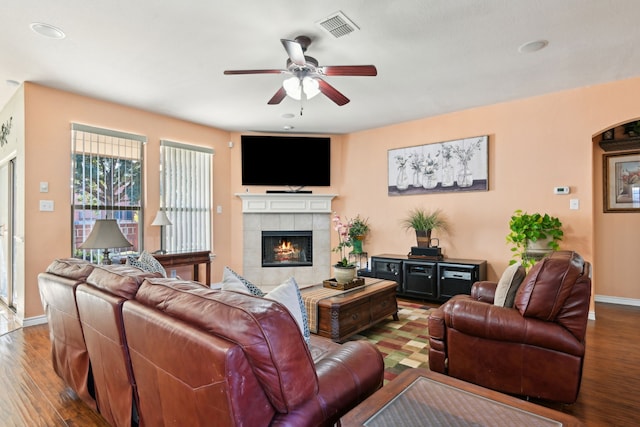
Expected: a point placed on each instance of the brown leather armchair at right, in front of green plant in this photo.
(534, 349)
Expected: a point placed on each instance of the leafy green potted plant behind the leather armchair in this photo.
(533, 236)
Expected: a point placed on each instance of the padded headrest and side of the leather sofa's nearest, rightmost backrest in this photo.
(265, 330)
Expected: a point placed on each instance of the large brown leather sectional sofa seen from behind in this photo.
(150, 351)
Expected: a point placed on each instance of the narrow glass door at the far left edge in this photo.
(7, 192)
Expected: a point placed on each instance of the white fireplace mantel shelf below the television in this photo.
(286, 202)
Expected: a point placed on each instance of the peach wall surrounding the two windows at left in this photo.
(49, 114)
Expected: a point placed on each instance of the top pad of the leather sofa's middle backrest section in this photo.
(118, 279)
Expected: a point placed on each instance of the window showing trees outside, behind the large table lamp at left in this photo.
(106, 184)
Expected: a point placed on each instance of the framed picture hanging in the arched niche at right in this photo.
(622, 182)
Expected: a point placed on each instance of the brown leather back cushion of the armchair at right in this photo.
(546, 287)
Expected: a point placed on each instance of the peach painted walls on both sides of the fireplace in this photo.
(534, 145)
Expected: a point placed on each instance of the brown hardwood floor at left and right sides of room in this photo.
(32, 395)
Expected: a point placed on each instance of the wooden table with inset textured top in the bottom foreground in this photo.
(419, 397)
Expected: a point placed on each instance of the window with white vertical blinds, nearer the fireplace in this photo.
(185, 193)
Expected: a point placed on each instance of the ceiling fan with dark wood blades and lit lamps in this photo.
(306, 74)
